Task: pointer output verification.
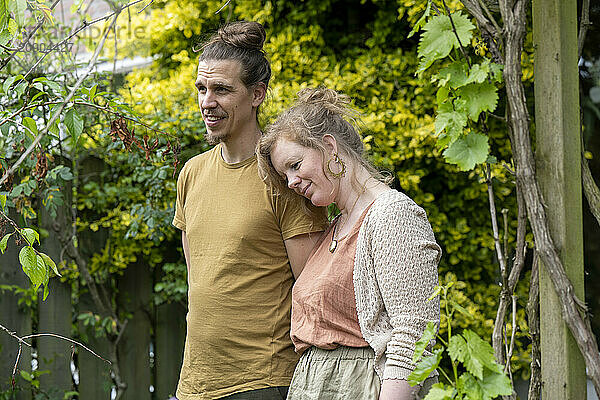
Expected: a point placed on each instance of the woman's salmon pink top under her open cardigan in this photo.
(323, 303)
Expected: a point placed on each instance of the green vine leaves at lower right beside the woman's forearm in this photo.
(475, 373)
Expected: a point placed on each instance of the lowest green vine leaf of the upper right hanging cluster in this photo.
(468, 151)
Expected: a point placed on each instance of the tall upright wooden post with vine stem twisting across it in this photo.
(558, 168)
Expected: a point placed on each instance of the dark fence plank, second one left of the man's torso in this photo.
(135, 291)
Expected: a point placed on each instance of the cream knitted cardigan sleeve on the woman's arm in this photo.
(405, 257)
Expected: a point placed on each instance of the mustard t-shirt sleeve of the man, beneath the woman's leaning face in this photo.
(293, 218)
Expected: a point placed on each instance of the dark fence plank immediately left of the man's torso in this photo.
(170, 338)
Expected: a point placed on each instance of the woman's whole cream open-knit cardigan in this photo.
(395, 272)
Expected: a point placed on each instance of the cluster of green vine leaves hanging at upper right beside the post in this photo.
(464, 90)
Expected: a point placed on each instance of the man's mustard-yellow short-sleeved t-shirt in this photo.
(240, 280)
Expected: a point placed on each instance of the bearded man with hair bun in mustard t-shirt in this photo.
(243, 243)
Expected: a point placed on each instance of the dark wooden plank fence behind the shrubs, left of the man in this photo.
(150, 351)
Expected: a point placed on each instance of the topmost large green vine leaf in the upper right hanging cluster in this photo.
(439, 39)
